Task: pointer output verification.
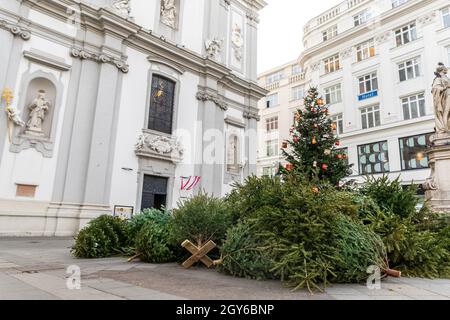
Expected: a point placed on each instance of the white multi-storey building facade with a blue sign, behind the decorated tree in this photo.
(374, 62)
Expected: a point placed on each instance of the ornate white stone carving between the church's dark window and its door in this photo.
(160, 147)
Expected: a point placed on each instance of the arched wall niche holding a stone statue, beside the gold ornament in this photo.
(36, 88)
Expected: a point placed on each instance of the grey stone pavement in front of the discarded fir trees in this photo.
(35, 269)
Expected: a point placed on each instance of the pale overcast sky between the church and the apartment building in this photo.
(281, 29)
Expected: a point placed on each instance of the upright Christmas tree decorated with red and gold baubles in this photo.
(314, 149)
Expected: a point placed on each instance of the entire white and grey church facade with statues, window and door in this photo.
(109, 107)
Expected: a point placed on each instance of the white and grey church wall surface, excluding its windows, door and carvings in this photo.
(103, 108)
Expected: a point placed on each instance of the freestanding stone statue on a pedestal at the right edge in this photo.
(441, 99)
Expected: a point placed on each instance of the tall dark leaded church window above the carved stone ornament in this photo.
(161, 104)
